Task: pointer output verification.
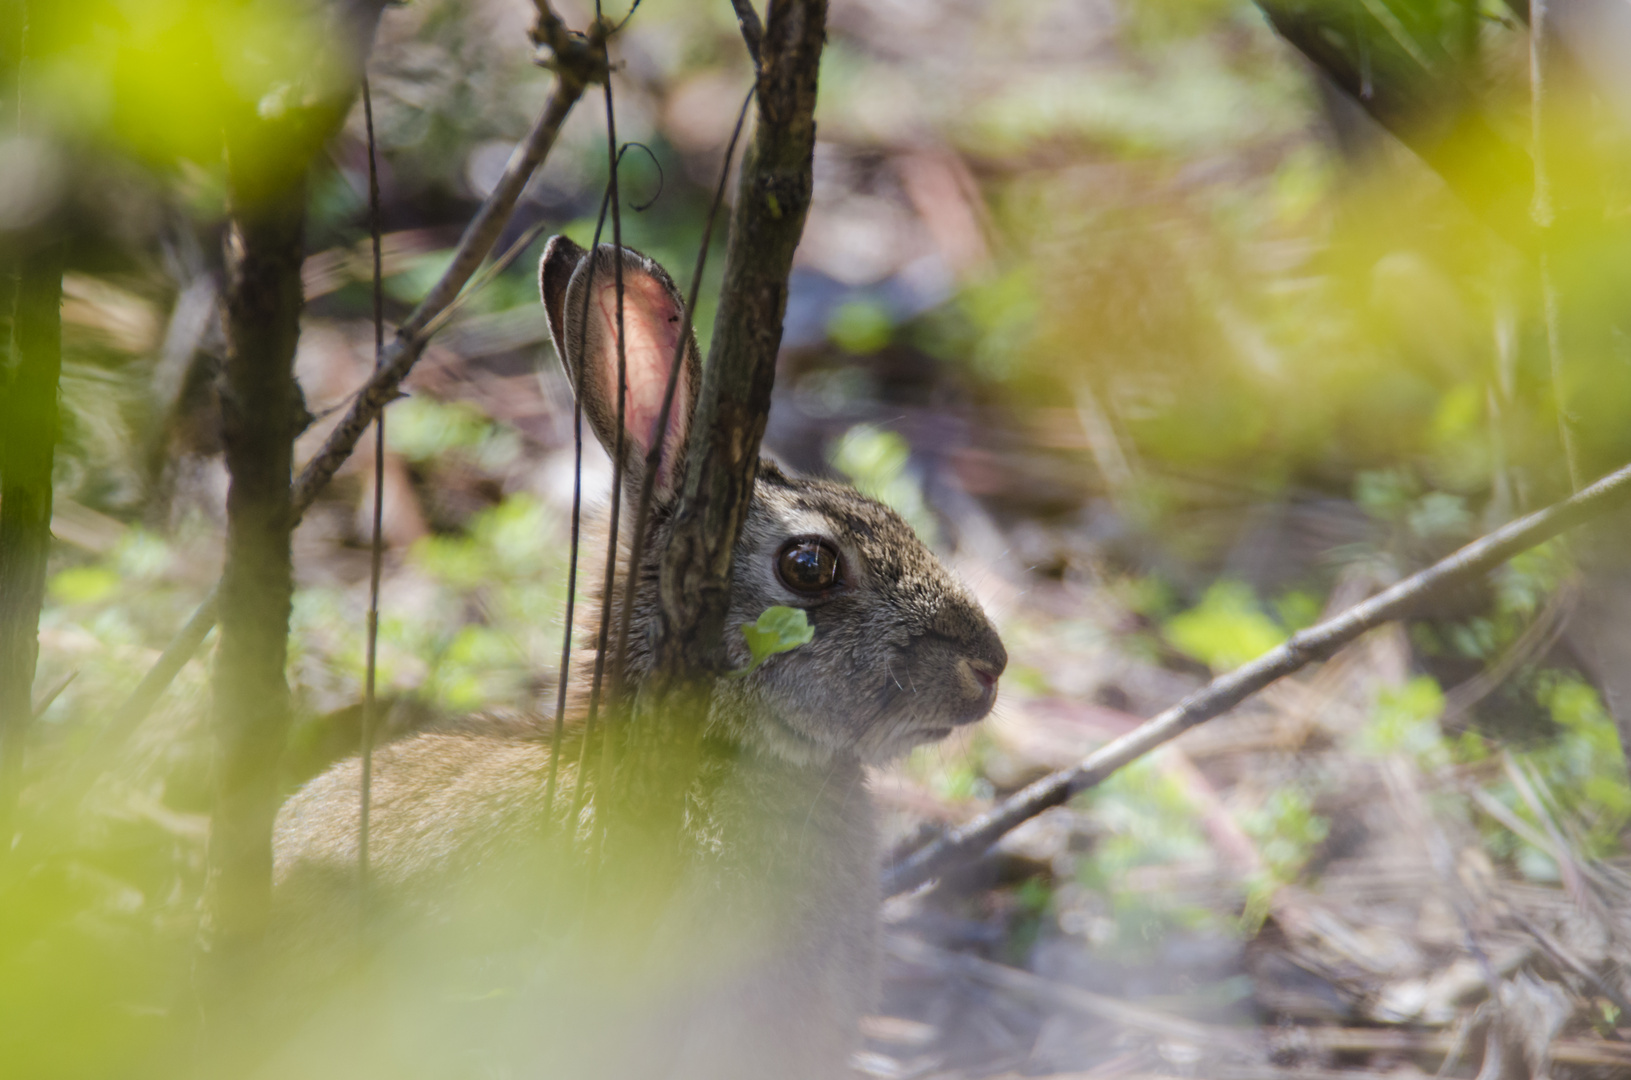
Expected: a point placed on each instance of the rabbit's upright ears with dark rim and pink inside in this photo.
(653, 316)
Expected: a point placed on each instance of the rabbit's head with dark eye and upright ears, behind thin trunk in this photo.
(903, 653)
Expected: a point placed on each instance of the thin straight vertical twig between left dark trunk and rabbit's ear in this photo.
(378, 552)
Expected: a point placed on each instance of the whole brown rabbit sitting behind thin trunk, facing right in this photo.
(764, 958)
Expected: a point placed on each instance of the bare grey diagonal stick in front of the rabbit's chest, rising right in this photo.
(1229, 691)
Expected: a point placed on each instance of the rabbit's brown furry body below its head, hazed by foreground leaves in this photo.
(759, 962)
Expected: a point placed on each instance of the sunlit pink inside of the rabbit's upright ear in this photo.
(653, 325)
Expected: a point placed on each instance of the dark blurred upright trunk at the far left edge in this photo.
(29, 440)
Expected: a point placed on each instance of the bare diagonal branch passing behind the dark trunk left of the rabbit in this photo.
(577, 64)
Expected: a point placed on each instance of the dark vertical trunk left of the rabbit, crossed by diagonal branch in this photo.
(262, 414)
